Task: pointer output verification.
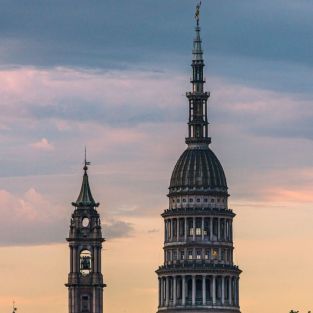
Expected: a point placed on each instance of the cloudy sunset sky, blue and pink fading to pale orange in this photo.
(112, 75)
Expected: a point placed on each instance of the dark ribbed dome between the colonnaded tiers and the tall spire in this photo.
(198, 169)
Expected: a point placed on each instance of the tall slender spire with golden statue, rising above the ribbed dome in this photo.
(198, 119)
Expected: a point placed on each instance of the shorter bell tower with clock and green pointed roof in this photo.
(85, 280)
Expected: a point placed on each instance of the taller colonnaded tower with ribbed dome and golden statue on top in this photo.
(198, 274)
